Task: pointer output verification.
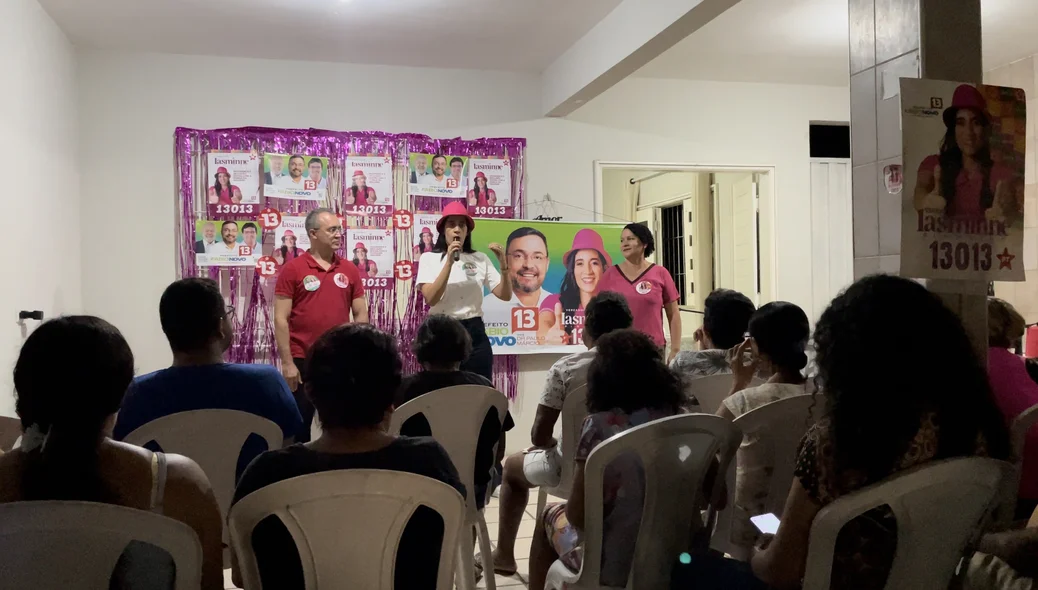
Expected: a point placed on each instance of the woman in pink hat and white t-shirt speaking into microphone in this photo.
(453, 278)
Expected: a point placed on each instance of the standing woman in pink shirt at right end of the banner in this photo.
(648, 288)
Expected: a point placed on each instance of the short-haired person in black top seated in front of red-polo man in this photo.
(353, 372)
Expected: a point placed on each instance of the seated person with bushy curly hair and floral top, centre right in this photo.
(629, 386)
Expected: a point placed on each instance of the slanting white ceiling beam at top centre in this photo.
(632, 36)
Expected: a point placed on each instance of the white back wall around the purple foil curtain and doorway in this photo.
(131, 103)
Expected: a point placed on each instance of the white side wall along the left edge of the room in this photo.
(41, 223)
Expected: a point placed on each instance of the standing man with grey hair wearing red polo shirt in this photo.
(315, 292)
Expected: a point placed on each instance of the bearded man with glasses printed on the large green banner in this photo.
(527, 253)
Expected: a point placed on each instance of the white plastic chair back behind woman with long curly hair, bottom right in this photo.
(940, 509)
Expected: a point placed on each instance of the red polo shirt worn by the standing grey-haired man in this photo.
(321, 300)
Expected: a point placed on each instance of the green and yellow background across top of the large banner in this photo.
(560, 235)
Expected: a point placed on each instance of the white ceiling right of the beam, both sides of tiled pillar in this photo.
(805, 42)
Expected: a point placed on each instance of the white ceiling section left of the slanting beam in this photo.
(521, 36)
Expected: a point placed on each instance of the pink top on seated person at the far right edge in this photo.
(1015, 392)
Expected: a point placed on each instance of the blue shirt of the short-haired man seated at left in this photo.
(256, 389)
